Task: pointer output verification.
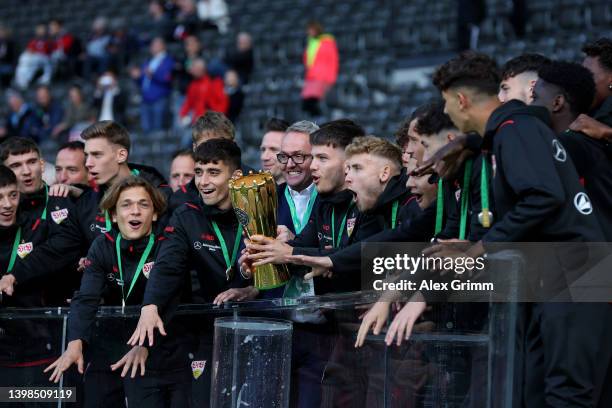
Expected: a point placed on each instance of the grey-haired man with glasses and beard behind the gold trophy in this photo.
(297, 196)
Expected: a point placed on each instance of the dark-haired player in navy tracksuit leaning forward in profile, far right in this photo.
(537, 198)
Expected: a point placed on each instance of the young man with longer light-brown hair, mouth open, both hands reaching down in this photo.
(117, 268)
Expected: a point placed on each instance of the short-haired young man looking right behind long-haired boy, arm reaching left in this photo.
(107, 147)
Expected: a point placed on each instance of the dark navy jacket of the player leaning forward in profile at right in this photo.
(537, 197)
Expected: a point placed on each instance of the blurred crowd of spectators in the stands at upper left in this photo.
(173, 88)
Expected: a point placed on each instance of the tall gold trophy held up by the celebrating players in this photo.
(255, 201)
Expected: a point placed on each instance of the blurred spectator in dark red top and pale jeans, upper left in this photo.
(34, 58)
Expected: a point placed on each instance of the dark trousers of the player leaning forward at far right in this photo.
(567, 353)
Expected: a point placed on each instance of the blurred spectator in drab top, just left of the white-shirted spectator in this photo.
(78, 114)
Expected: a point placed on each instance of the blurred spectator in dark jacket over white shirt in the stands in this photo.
(109, 101)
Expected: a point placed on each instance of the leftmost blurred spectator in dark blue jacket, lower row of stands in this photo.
(22, 120)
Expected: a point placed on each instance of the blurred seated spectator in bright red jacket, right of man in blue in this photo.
(204, 93)
